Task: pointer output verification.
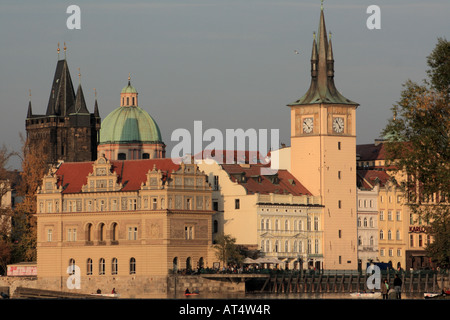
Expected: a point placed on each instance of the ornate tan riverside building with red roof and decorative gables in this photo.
(129, 219)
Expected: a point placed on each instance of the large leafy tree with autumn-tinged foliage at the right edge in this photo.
(418, 148)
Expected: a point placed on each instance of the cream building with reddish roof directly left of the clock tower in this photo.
(274, 213)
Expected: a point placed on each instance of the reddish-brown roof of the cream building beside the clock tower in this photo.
(283, 182)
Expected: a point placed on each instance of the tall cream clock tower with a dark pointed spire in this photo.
(323, 153)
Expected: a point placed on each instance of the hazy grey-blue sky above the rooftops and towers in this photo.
(228, 63)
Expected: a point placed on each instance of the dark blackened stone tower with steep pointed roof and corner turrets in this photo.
(71, 131)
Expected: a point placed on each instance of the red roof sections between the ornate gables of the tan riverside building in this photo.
(131, 173)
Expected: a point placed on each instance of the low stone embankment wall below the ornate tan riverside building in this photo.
(129, 287)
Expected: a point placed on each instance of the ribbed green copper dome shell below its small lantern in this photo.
(129, 124)
